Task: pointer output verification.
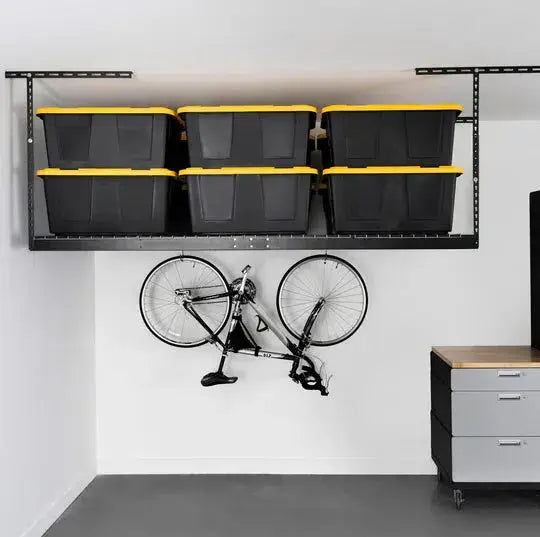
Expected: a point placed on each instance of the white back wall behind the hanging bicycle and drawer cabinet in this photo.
(153, 415)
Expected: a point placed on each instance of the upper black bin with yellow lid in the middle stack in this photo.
(258, 136)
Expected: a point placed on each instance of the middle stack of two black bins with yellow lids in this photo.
(249, 168)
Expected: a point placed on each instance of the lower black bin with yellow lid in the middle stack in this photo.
(249, 200)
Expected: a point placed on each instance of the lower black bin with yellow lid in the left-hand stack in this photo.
(107, 201)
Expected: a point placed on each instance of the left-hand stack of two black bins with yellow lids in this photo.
(111, 169)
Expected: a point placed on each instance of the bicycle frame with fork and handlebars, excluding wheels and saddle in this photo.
(296, 350)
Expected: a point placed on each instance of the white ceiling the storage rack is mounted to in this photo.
(276, 51)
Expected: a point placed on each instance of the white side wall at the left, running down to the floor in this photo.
(47, 360)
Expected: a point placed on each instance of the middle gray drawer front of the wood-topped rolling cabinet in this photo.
(495, 413)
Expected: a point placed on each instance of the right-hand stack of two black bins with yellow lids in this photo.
(390, 167)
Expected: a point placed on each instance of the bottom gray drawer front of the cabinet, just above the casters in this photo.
(486, 460)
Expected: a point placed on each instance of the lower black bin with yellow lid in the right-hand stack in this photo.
(405, 199)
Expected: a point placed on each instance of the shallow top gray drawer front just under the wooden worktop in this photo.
(496, 379)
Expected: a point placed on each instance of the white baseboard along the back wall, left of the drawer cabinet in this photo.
(262, 465)
